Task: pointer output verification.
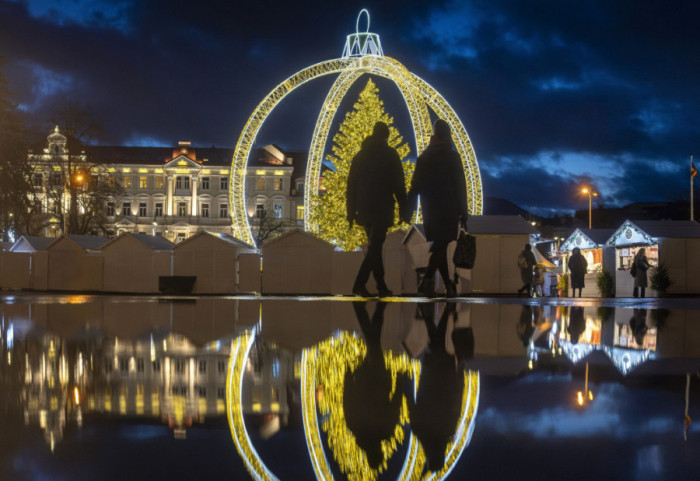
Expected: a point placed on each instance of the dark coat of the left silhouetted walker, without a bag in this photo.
(375, 180)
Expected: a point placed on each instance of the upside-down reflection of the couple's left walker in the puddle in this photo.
(371, 410)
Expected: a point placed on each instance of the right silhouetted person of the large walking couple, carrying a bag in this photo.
(439, 181)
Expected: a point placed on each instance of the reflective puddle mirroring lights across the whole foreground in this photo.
(158, 388)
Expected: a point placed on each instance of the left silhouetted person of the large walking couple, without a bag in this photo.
(375, 183)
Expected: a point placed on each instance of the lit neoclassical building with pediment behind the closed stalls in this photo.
(176, 192)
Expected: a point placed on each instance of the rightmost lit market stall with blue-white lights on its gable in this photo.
(675, 243)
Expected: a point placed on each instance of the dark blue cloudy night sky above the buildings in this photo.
(554, 94)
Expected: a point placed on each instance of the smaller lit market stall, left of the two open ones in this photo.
(592, 245)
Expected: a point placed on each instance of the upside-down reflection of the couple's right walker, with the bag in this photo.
(435, 411)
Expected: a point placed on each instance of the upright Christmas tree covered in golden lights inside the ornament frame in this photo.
(329, 208)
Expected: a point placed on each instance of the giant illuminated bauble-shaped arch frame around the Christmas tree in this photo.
(362, 55)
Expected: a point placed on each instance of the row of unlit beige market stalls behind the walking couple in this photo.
(296, 263)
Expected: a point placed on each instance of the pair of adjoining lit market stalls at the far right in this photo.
(676, 244)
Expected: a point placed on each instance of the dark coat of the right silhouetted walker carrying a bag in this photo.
(439, 180)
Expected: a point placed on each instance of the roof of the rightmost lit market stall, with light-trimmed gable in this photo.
(650, 231)
